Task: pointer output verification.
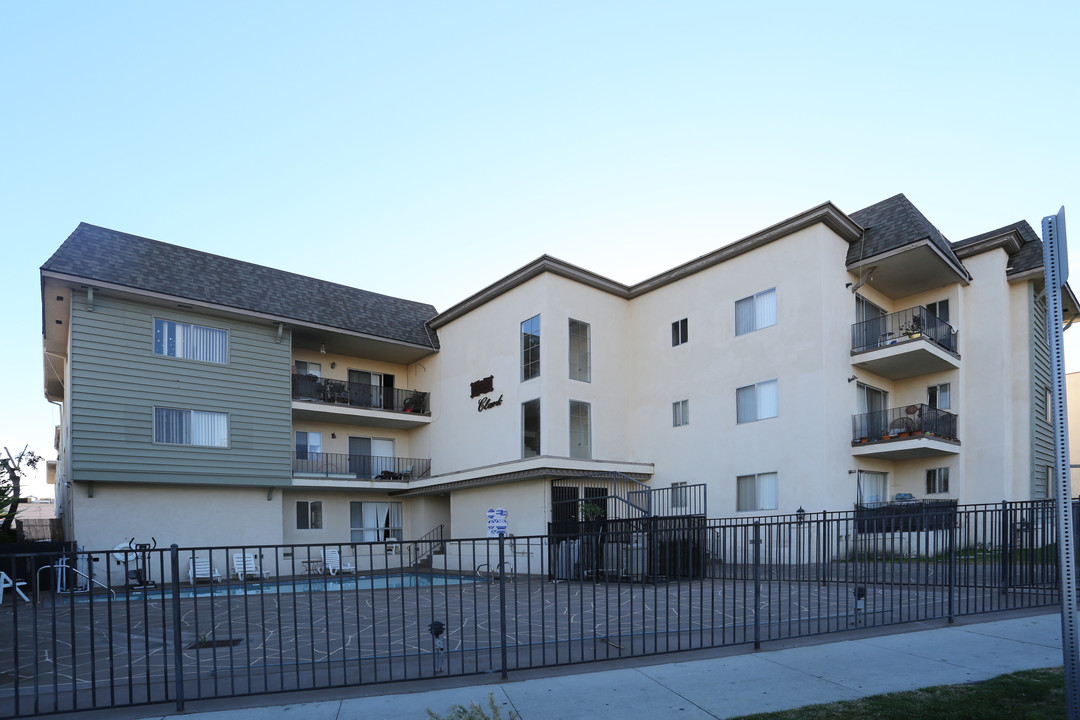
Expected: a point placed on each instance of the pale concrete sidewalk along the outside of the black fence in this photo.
(714, 688)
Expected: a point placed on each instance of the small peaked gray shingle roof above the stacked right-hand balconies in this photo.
(894, 224)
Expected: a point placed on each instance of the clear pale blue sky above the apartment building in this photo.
(426, 150)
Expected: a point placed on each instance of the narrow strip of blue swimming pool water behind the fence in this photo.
(314, 585)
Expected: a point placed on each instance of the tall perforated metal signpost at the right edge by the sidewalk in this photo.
(1057, 268)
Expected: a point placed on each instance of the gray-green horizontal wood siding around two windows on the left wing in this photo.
(117, 382)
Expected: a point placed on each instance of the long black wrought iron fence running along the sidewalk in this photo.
(130, 628)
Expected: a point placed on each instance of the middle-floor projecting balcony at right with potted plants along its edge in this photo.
(913, 431)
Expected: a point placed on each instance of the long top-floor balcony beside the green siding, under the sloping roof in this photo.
(356, 403)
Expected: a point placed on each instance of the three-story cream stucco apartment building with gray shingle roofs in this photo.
(827, 361)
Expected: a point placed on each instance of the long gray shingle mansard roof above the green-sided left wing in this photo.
(109, 256)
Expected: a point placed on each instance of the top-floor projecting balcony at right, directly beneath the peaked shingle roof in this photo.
(904, 345)
